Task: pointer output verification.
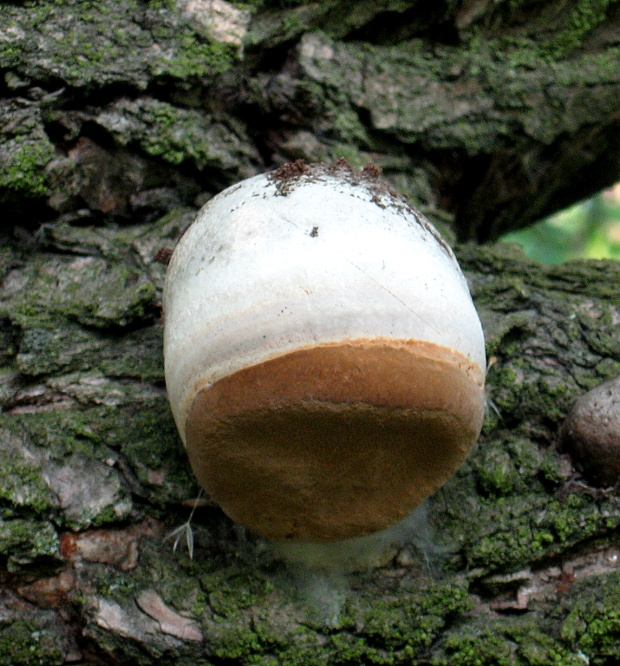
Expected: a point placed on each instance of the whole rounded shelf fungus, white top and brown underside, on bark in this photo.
(324, 360)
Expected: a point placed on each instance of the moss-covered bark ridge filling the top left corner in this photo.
(90, 44)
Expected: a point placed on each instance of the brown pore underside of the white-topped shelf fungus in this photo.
(335, 441)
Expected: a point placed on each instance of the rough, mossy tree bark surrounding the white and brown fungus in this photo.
(118, 120)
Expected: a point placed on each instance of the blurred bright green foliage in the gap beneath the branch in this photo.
(588, 230)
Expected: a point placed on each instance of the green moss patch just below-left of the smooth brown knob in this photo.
(501, 512)
